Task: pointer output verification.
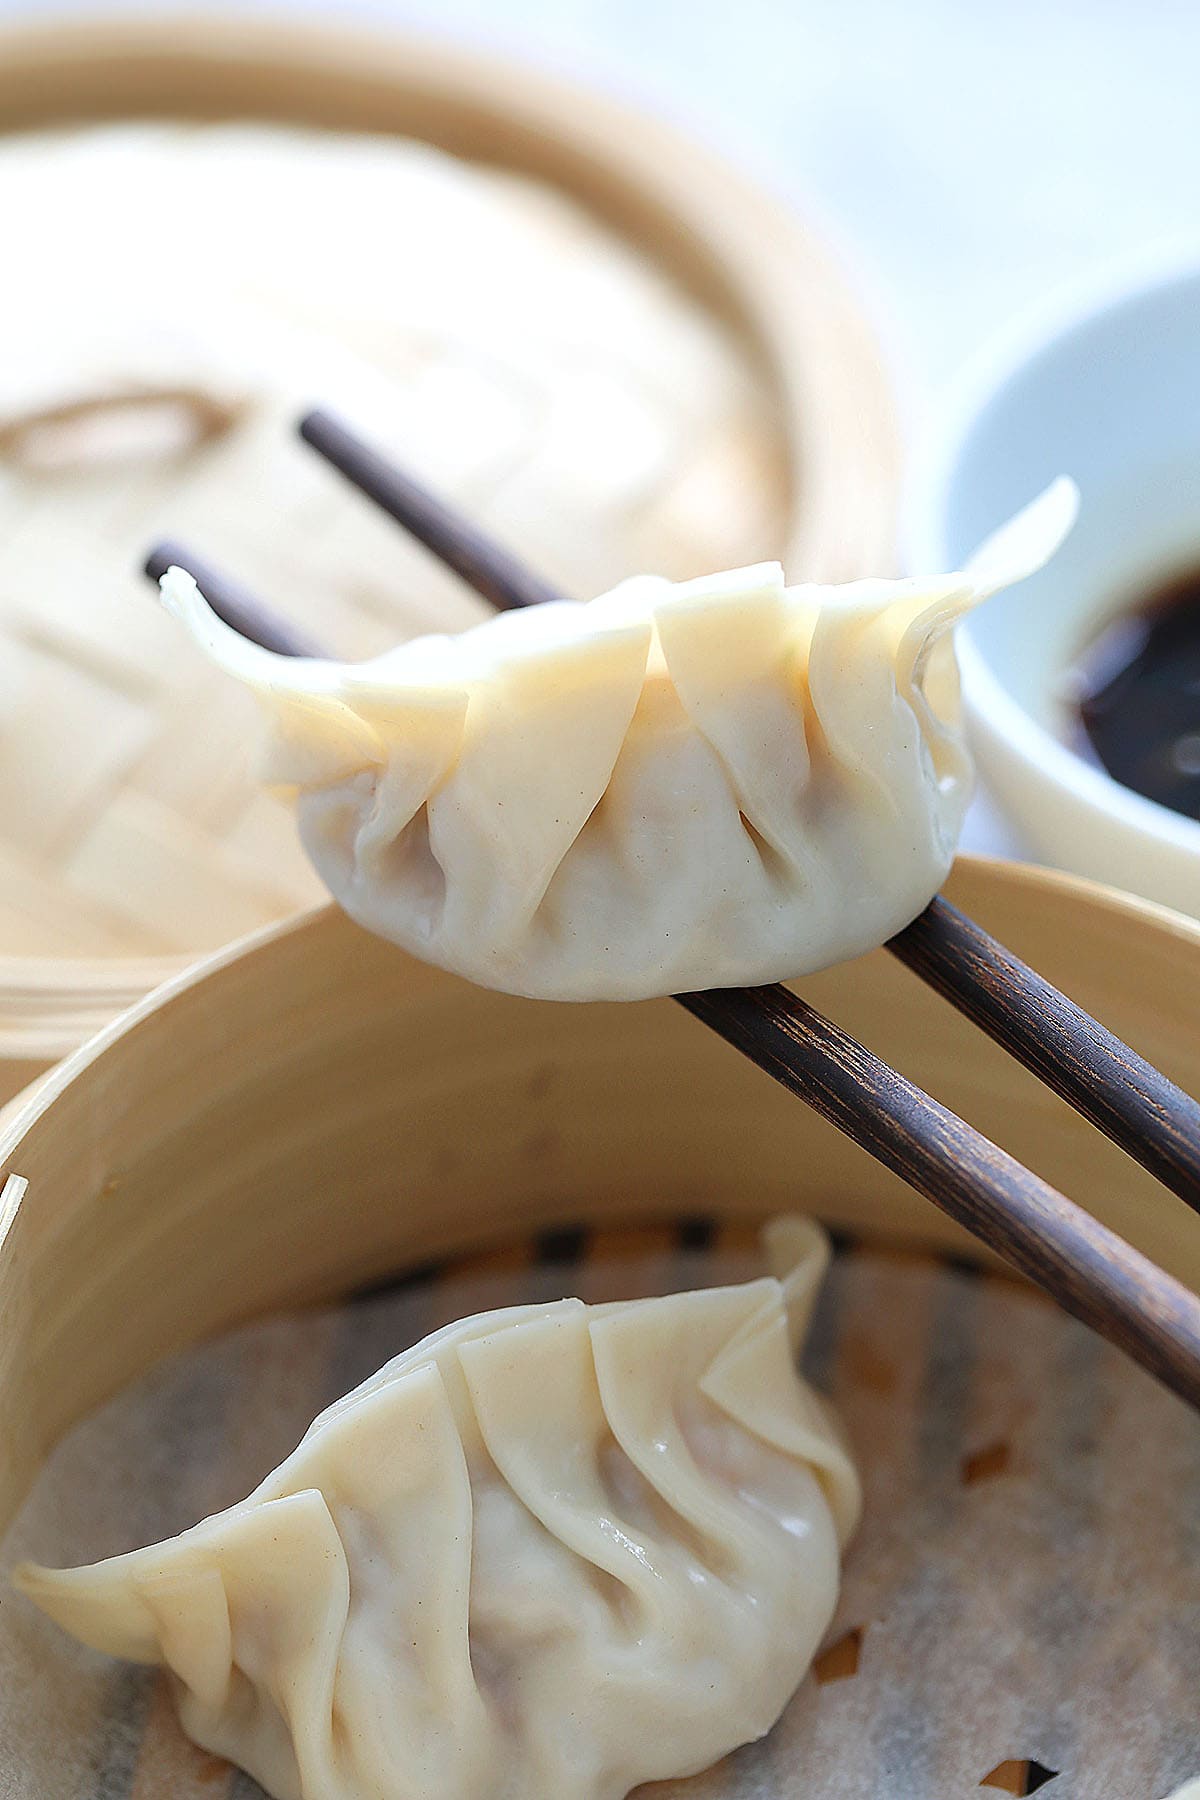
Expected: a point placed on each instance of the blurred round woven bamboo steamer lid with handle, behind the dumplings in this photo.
(607, 345)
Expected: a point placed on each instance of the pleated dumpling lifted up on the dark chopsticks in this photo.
(672, 787)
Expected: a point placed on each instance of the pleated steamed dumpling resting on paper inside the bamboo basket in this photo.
(548, 1554)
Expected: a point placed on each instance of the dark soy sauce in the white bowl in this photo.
(1140, 696)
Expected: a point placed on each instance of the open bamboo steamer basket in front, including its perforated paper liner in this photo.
(312, 1113)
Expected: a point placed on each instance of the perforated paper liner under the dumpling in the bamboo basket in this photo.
(1025, 1594)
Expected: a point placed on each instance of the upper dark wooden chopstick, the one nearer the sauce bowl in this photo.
(1086, 1065)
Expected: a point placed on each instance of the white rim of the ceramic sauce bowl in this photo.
(1039, 330)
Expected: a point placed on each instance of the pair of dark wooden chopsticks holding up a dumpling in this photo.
(1080, 1263)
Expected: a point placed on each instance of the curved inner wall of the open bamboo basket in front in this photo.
(305, 1115)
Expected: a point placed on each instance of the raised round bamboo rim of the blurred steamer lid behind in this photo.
(749, 255)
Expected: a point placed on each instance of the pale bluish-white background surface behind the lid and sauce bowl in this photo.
(969, 156)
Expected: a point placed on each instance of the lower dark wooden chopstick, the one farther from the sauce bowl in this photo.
(1089, 1270)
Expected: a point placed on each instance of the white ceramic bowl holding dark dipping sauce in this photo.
(1102, 386)
